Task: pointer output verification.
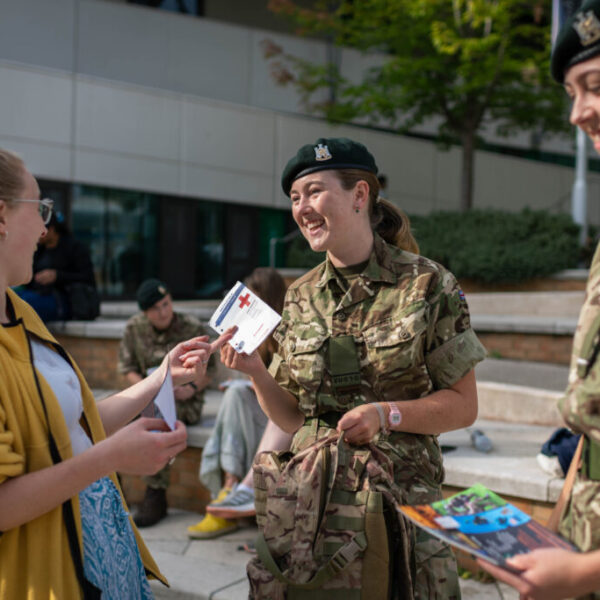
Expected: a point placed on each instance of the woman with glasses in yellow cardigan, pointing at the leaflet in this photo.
(65, 529)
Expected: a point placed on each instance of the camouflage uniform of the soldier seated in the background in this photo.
(143, 347)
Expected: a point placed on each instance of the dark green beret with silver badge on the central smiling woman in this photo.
(327, 153)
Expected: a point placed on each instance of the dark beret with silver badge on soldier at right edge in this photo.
(578, 40)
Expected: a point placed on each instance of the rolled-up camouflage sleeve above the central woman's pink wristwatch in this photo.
(452, 348)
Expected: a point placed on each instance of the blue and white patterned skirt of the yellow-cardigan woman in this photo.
(112, 560)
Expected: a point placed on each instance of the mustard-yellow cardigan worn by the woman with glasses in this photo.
(35, 561)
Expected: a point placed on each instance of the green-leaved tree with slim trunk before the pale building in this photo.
(469, 65)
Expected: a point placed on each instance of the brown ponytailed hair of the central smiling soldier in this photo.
(391, 223)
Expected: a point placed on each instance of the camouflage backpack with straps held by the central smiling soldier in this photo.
(328, 525)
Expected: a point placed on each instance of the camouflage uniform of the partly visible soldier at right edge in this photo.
(580, 409)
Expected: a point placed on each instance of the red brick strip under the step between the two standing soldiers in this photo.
(525, 346)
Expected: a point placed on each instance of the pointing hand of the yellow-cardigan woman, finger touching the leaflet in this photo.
(189, 359)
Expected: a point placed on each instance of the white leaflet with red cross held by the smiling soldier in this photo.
(254, 318)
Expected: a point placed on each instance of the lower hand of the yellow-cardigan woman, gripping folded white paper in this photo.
(145, 446)
